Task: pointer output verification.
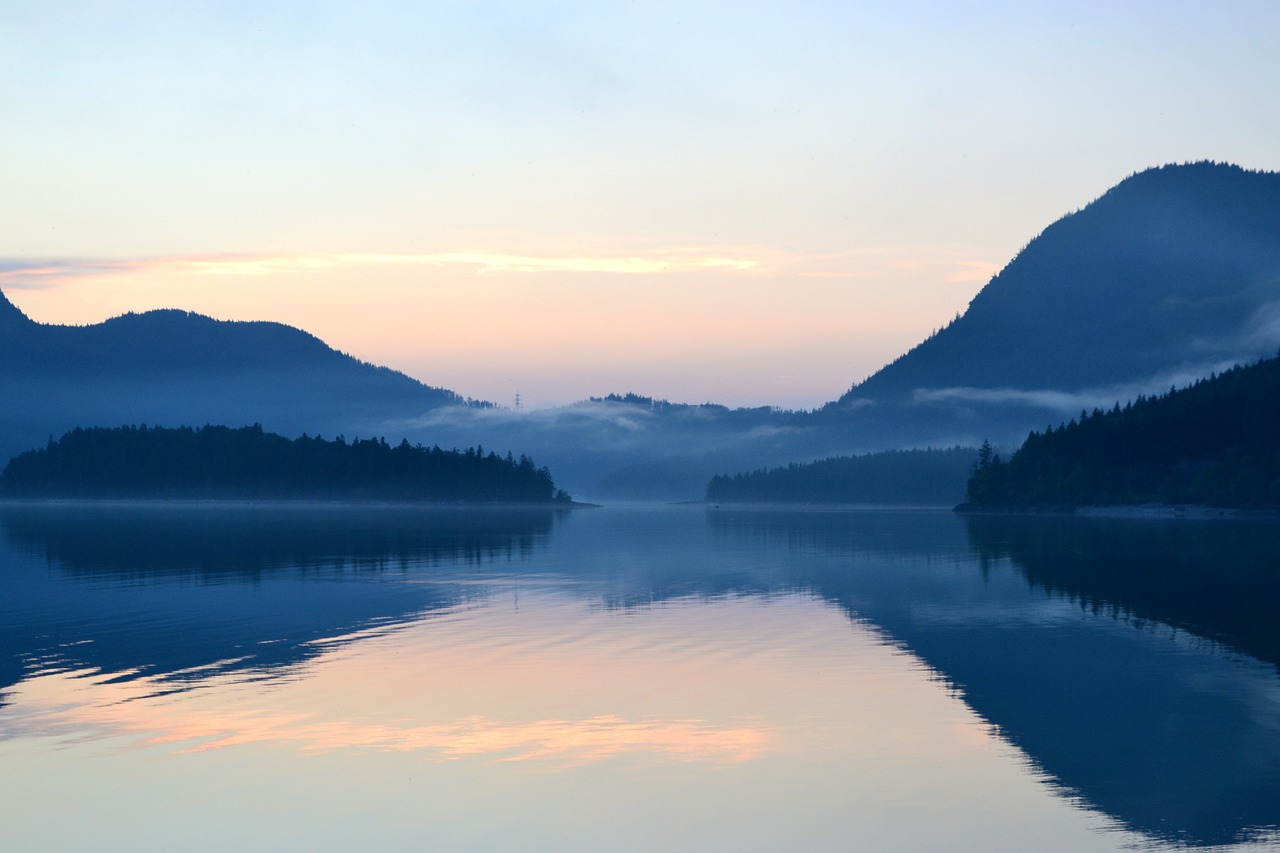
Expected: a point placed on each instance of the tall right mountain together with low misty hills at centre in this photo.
(1172, 275)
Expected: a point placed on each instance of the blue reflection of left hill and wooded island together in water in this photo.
(186, 594)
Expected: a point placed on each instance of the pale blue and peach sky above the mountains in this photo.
(739, 203)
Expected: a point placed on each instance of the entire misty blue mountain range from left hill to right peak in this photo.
(1172, 275)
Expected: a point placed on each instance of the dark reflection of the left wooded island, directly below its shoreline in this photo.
(244, 540)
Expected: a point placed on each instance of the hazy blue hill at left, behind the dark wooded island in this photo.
(175, 368)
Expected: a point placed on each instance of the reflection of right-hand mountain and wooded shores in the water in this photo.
(1081, 656)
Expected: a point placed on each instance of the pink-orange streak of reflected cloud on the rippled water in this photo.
(56, 706)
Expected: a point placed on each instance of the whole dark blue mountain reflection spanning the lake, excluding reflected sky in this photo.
(1133, 663)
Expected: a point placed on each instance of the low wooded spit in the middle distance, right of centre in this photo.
(913, 477)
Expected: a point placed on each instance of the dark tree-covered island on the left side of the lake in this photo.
(249, 463)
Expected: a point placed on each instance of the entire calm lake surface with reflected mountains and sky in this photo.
(634, 678)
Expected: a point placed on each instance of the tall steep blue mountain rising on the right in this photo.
(1172, 275)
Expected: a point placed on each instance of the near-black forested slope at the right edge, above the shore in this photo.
(1214, 444)
